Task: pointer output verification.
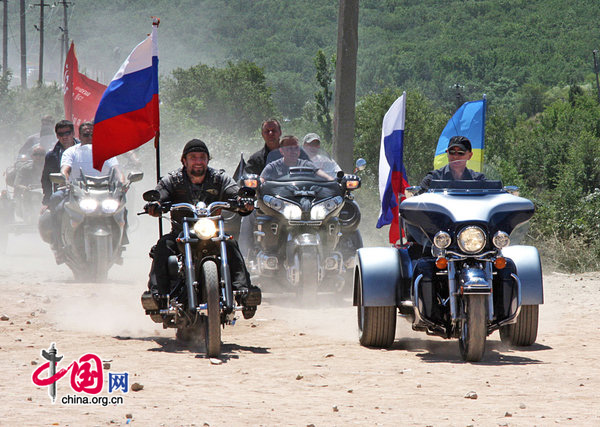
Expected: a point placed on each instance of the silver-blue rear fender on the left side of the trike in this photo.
(380, 272)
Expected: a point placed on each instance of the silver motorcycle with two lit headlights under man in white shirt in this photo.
(93, 223)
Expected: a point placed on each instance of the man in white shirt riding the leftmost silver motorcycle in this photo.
(78, 158)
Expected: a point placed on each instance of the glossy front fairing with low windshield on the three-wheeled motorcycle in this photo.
(449, 204)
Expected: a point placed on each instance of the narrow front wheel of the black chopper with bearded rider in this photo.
(213, 323)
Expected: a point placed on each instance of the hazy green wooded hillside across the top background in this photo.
(492, 47)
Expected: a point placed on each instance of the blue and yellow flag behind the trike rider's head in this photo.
(469, 121)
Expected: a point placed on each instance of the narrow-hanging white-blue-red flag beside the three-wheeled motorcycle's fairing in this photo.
(392, 175)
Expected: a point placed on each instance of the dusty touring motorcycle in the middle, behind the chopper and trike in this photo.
(306, 232)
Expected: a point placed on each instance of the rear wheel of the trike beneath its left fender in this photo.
(376, 325)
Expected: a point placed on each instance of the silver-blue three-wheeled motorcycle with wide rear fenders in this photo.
(459, 276)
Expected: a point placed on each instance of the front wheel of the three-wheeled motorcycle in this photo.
(474, 328)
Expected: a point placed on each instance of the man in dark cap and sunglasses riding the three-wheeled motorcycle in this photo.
(459, 152)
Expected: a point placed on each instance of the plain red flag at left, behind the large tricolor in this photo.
(81, 94)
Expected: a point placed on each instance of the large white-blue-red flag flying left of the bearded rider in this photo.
(127, 116)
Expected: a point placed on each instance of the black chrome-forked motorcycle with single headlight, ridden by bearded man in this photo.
(201, 298)
